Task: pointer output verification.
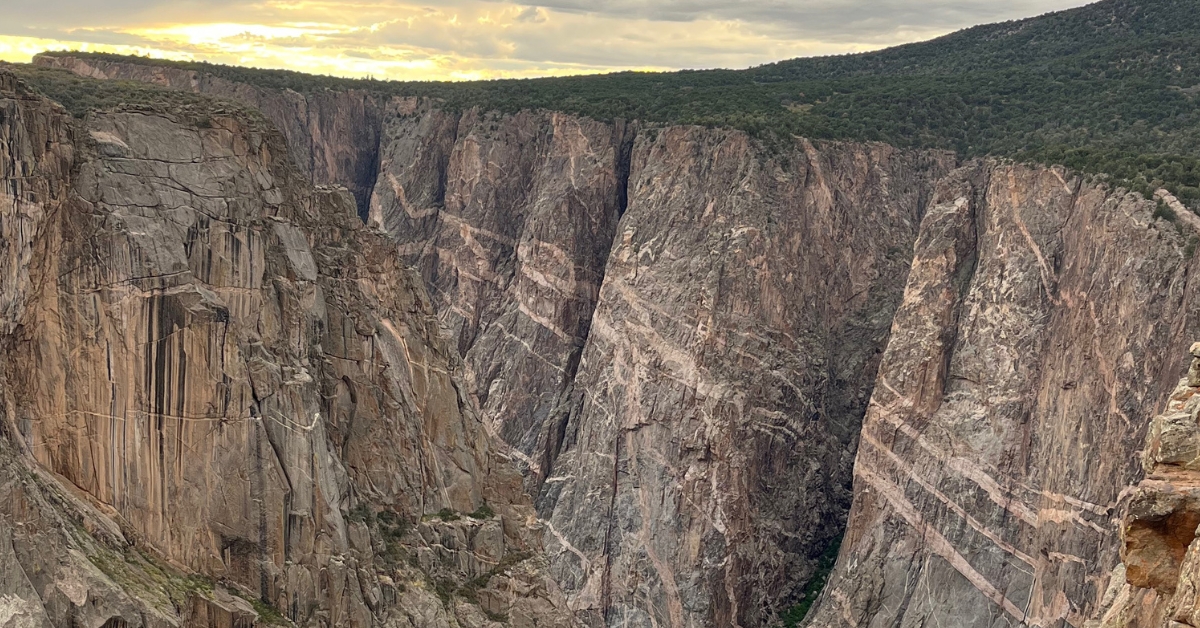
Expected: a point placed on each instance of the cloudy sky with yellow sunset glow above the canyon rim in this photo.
(460, 40)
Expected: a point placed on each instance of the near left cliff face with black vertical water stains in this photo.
(212, 368)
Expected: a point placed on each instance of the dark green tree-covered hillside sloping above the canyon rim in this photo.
(1111, 88)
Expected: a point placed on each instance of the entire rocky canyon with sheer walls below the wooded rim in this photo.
(369, 361)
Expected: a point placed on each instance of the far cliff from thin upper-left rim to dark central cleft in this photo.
(509, 219)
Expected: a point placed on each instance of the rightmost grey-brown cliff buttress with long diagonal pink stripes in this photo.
(1036, 336)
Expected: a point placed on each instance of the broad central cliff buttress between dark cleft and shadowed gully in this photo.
(706, 457)
